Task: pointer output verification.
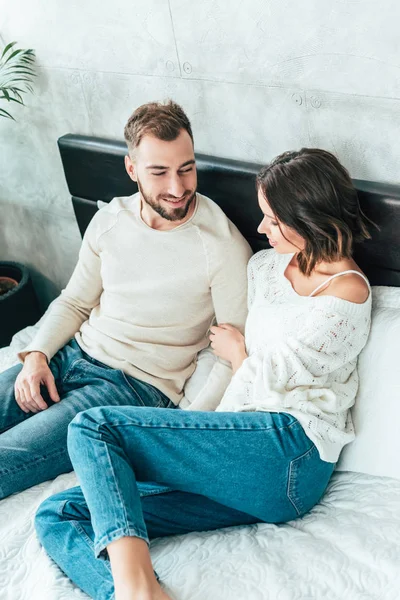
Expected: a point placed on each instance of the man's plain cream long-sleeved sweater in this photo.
(142, 300)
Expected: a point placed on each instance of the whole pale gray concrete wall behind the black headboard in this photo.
(256, 77)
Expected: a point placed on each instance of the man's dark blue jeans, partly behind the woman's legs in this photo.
(33, 447)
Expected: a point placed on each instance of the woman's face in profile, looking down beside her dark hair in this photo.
(283, 239)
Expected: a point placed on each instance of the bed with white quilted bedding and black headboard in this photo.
(348, 546)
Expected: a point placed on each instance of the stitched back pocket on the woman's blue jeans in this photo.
(307, 480)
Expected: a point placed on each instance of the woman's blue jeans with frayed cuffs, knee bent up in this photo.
(151, 473)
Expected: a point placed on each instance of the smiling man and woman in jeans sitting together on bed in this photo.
(110, 360)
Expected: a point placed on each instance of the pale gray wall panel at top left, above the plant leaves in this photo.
(122, 35)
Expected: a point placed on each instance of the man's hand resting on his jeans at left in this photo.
(27, 385)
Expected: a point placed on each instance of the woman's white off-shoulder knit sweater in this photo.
(302, 355)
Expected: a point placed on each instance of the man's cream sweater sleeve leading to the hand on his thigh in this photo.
(72, 308)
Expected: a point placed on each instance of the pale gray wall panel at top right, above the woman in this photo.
(333, 45)
